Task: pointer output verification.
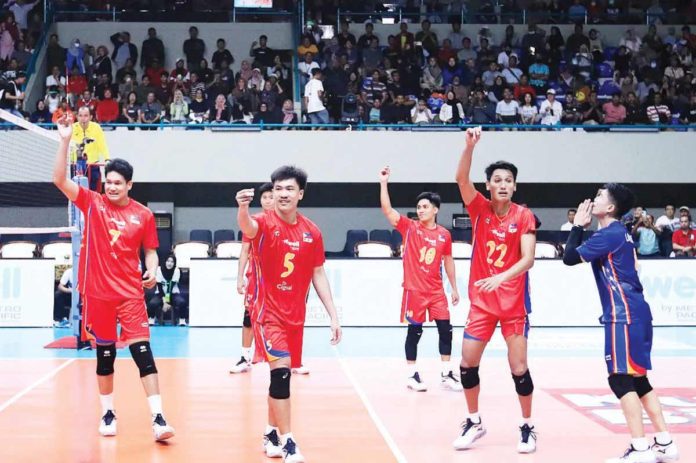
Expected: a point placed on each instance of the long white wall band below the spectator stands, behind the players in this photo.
(336, 156)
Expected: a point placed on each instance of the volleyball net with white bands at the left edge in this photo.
(28, 198)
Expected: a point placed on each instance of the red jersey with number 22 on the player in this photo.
(497, 247)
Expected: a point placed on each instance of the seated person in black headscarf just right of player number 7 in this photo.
(167, 294)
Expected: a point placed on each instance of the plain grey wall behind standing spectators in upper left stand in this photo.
(238, 36)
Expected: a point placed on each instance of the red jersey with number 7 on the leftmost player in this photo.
(110, 254)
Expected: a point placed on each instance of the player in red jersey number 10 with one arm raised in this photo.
(427, 249)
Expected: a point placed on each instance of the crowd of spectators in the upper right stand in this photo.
(538, 77)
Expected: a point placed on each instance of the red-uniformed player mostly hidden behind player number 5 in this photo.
(247, 287)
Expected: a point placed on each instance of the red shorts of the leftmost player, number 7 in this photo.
(99, 319)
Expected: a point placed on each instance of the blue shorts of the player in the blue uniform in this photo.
(627, 348)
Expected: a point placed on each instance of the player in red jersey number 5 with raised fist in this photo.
(288, 253)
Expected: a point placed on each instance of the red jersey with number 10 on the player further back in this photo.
(424, 250)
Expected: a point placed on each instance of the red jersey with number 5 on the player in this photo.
(285, 256)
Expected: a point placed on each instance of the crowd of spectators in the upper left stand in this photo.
(126, 83)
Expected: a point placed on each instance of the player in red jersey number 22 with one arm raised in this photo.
(504, 238)
